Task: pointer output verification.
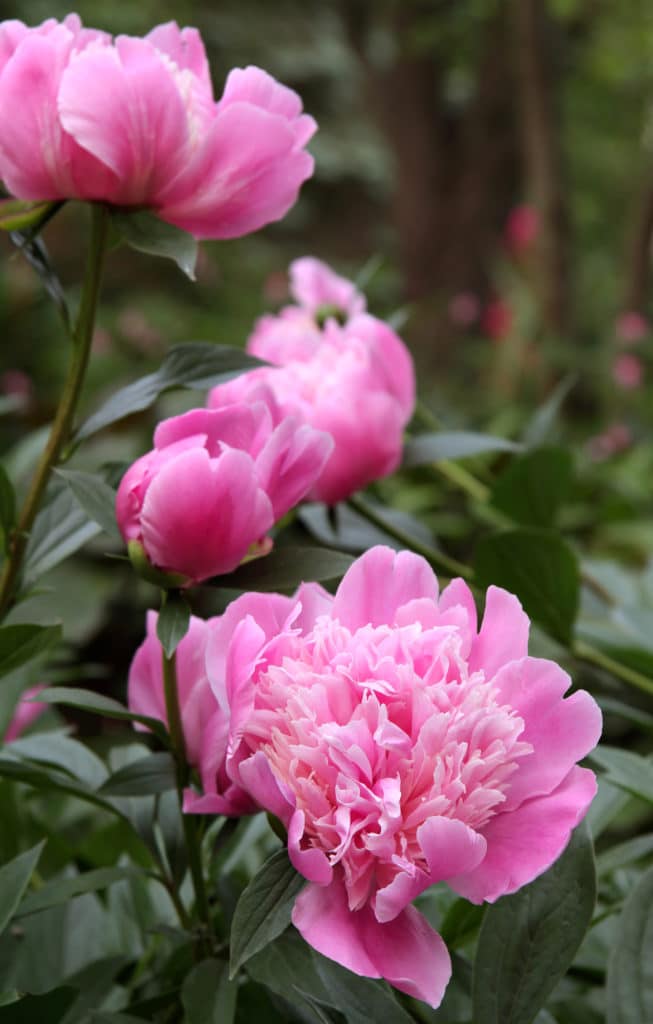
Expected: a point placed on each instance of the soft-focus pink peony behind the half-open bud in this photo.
(353, 377)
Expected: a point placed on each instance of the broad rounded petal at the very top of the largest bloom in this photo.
(379, 583)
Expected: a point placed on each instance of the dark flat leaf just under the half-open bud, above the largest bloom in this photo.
(285, 569)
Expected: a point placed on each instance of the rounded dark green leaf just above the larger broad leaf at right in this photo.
(532, 490)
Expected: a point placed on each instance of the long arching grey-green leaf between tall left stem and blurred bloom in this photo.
(196, 365)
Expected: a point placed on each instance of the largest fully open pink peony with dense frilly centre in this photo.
(401, 747)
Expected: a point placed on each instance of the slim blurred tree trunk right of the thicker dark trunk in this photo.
(537, 78)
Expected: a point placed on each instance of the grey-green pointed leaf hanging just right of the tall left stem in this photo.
(61, 529)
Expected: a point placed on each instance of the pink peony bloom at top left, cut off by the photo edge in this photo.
(134, 122)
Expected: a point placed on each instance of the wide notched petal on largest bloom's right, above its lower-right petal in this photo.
(561, 733)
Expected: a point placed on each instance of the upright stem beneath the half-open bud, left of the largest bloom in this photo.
(189, 823)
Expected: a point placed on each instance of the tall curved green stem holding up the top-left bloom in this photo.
(63, 425)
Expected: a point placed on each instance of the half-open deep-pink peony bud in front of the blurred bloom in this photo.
(214, 485)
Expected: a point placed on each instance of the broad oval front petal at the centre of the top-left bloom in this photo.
(123, 106)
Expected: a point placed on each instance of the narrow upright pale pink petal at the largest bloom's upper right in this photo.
(504, 633)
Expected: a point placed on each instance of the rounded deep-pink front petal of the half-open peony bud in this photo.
(200, 516)
